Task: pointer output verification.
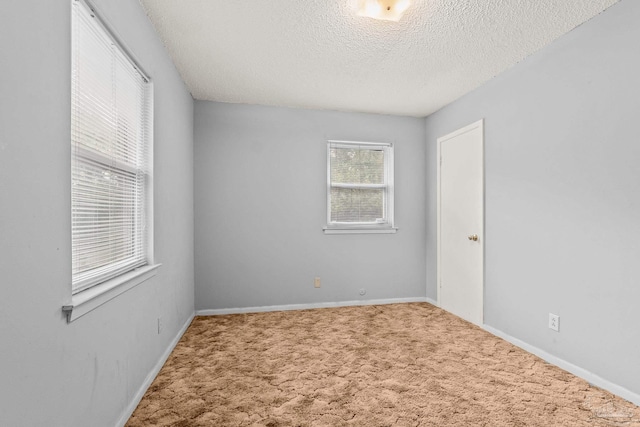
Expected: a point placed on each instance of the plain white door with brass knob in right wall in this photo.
(460, 222)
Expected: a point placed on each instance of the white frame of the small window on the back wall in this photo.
(388, 226)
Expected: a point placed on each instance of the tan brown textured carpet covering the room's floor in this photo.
(386, 365)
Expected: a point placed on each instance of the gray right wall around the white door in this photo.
(562, 159)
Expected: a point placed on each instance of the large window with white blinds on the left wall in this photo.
(111, 131)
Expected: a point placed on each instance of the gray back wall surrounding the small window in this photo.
(260, 190)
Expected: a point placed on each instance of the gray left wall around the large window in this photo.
(87, 372)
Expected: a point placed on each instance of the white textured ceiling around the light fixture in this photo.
(321, 54)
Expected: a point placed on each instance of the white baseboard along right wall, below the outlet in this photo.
(569, 367)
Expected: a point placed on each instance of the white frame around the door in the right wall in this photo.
(440, 140)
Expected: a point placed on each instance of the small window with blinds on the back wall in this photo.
(359, 185)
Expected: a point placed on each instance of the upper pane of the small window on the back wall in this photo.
(357, 165)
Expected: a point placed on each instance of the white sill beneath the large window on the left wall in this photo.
(92, 298)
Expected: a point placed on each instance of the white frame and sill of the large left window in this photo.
(84, 298)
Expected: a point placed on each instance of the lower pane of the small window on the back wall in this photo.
(357, 205)
